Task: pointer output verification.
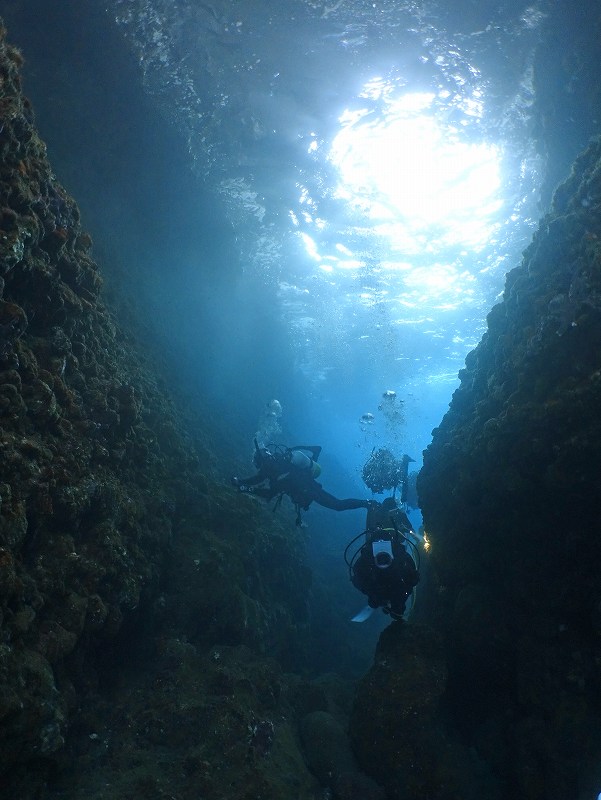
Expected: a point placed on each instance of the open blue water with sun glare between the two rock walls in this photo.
(310, 202)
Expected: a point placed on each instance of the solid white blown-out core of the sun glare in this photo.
(409, 174)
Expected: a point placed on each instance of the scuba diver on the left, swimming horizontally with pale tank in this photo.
(289, 470)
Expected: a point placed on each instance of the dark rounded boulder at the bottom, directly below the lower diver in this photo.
(397, 729)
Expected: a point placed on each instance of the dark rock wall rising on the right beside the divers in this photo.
(510, 492)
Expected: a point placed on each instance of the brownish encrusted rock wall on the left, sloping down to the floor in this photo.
(116, 542)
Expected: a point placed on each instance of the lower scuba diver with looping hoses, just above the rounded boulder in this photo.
(381, 567)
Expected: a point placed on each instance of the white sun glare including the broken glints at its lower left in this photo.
(427, 192)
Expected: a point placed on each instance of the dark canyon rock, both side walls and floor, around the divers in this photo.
(156, 632)
